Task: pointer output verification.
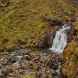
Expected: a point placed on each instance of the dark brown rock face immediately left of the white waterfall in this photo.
(46, 42)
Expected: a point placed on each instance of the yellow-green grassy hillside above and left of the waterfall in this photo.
(23, 20)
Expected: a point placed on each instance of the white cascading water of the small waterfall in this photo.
(60, 40)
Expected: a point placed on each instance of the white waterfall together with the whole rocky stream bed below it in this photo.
(18, 62)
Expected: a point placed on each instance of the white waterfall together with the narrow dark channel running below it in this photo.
(59, 43)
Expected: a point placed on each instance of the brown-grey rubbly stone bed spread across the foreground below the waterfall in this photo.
(21, 62)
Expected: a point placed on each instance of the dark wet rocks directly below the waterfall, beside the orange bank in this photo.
(55, 66)
